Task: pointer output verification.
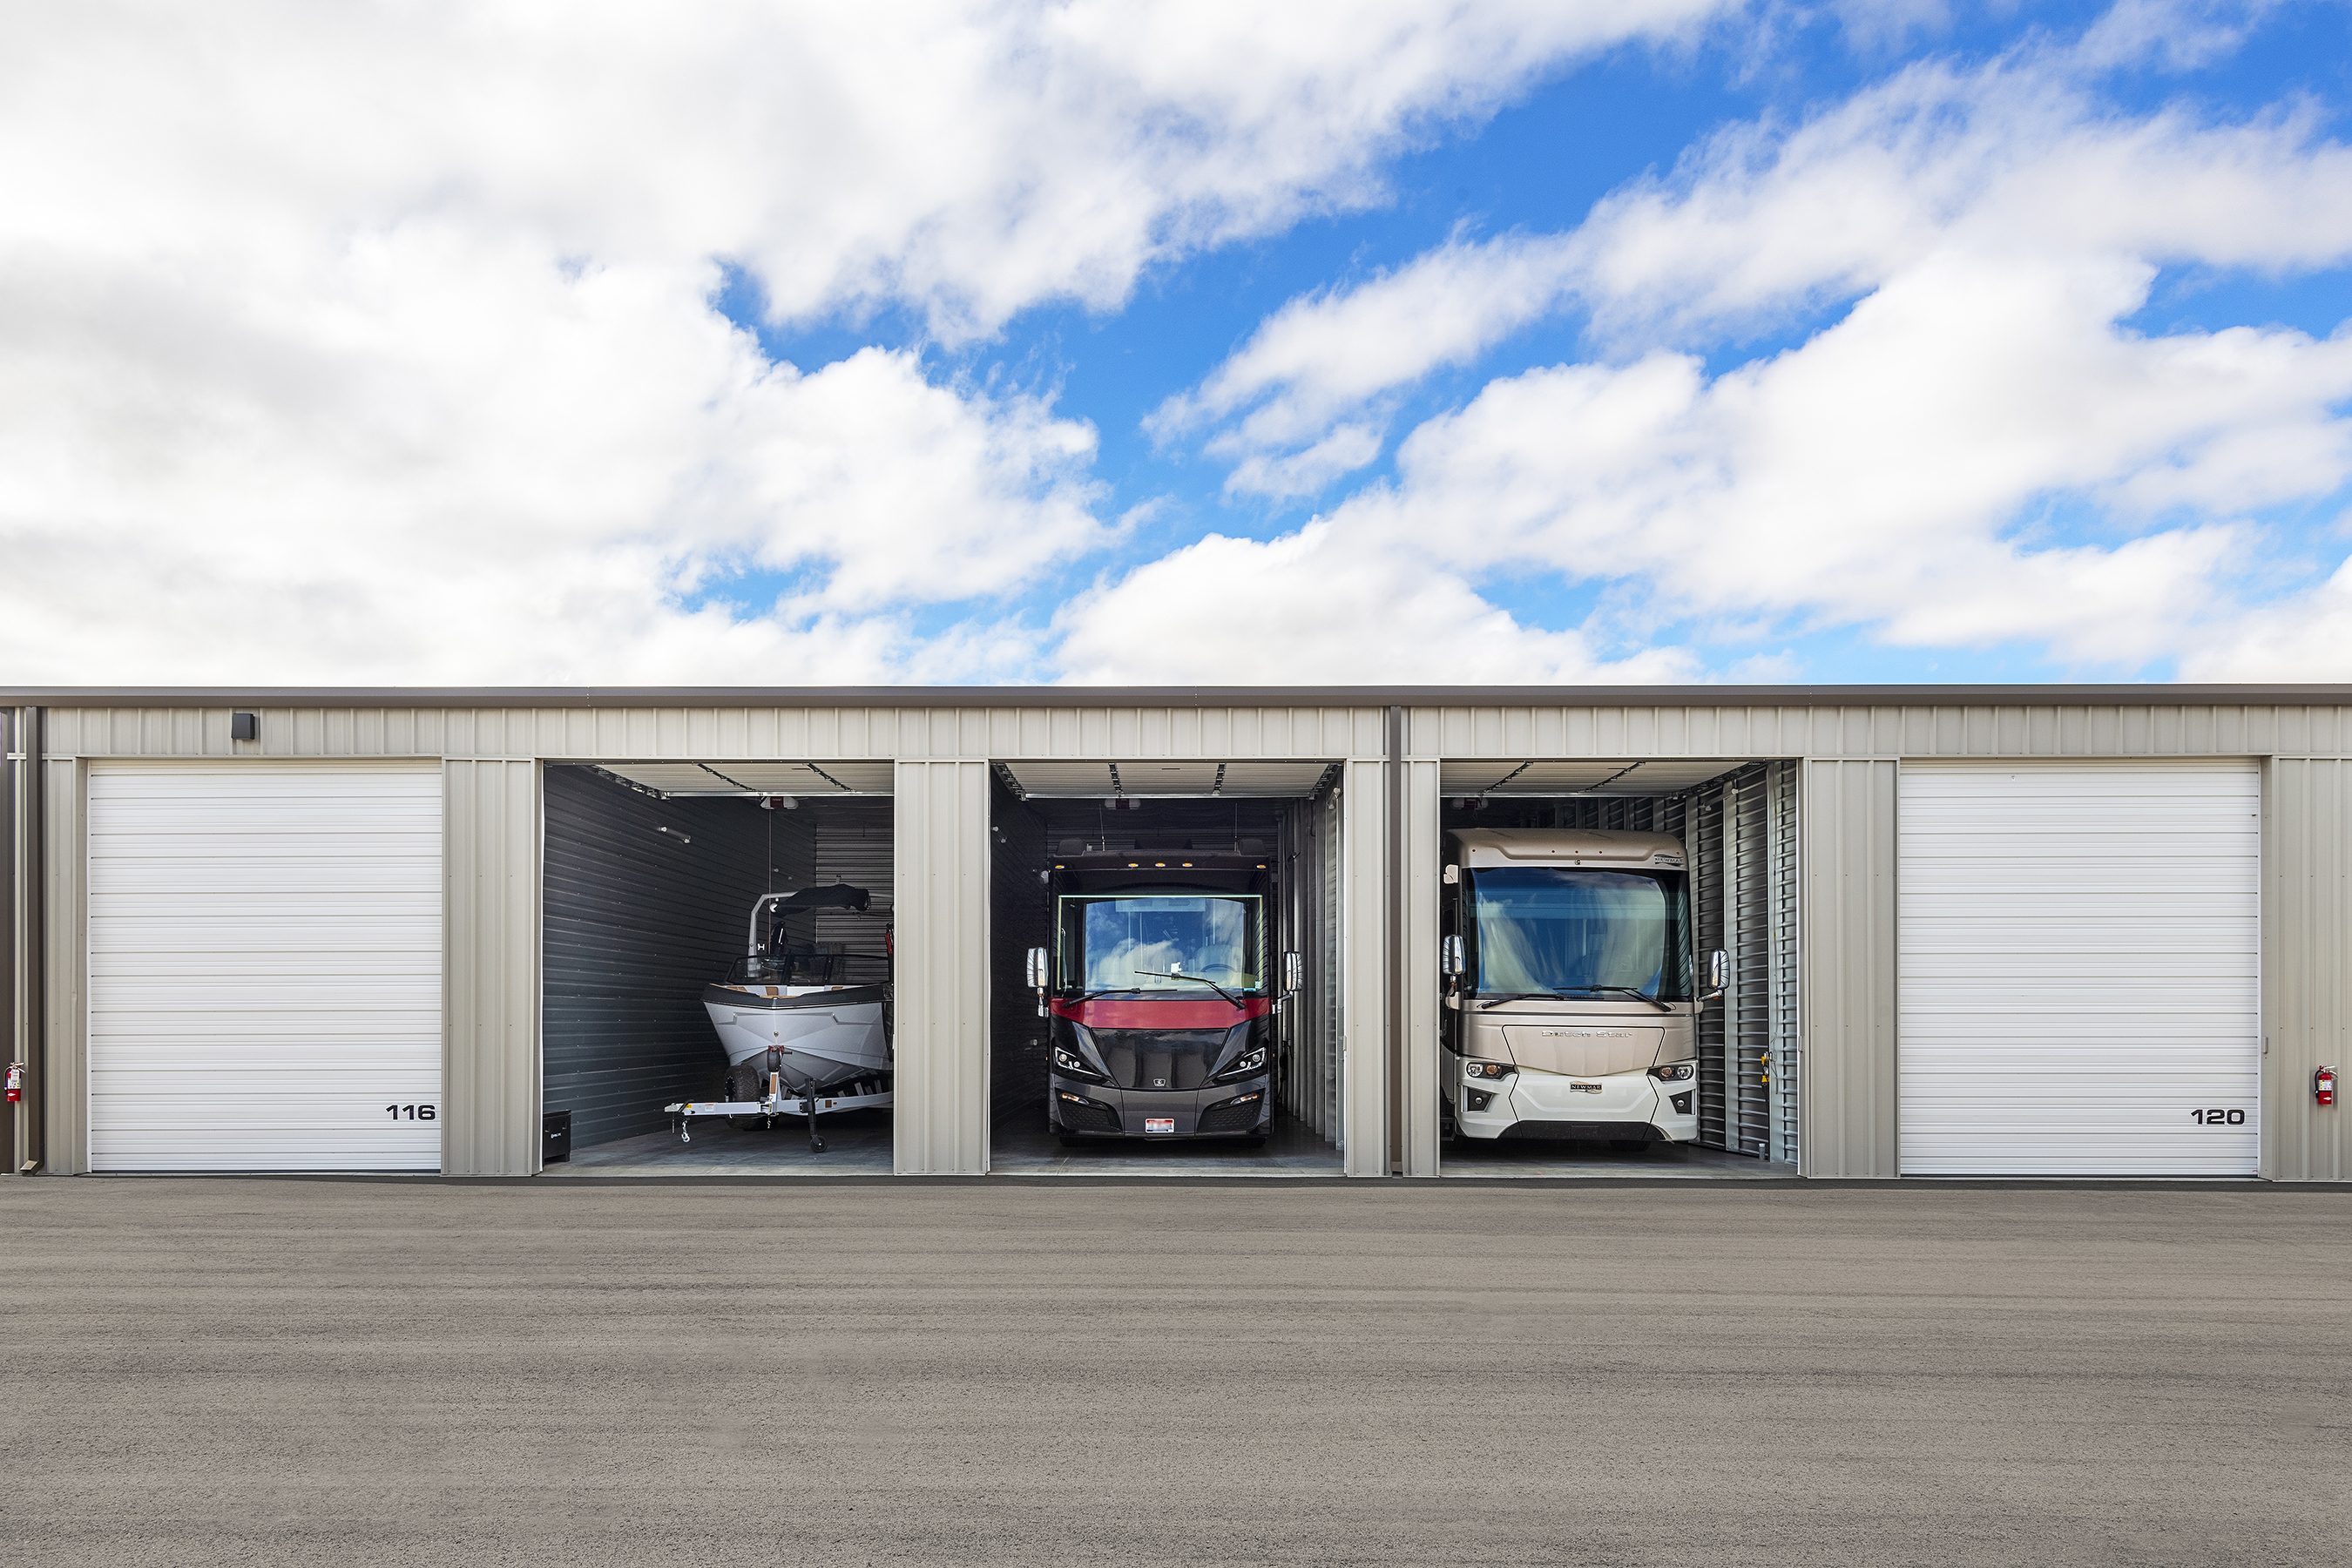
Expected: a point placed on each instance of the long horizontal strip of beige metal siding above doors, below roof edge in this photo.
(1495, 730)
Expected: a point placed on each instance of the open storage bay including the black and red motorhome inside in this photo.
(1165, 967)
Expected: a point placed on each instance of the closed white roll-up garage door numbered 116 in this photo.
(265, 967)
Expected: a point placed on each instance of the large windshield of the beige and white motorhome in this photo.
(1568, 930)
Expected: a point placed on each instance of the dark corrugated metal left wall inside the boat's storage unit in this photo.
(636, 923)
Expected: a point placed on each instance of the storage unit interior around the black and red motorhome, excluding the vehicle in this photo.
(1271, 822)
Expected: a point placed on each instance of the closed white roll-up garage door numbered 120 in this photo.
(2080, 989)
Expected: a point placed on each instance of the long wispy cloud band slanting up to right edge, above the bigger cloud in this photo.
(1765, 227)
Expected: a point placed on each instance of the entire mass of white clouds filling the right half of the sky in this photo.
(1979, 448)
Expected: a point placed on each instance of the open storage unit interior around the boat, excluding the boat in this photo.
(657, 878)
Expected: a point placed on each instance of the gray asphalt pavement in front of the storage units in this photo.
(309, 1372)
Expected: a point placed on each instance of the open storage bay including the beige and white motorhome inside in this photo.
(1586, 1024)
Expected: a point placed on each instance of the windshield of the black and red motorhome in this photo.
(1142, 942)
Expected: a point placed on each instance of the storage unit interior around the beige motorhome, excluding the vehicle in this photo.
(1737, 826)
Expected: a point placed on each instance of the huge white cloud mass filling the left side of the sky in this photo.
(375, 342)
